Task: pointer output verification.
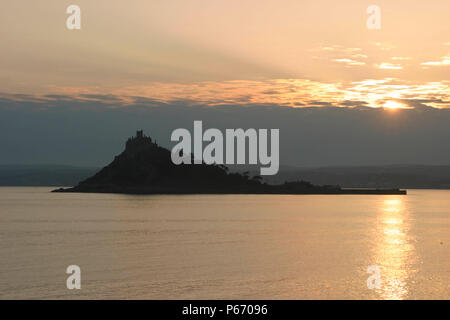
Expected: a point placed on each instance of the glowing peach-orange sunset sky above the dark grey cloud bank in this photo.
(291, 53)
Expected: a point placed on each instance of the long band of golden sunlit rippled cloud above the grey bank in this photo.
(282, 92)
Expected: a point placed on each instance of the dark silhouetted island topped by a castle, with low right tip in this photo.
(144, 167)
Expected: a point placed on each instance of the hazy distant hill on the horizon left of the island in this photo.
(43, 175)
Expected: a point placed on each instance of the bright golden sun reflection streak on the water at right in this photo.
(394, 249)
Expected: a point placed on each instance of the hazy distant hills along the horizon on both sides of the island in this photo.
(402, 176)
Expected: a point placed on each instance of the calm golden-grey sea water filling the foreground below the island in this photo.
(224, 247)
